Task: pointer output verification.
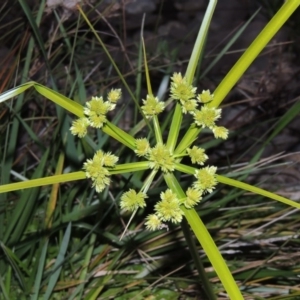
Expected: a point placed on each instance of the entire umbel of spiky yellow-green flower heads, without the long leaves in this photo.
(159, 157)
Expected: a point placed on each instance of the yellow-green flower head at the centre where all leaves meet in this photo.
(160, 157)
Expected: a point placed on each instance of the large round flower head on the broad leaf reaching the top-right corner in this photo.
(207, 116)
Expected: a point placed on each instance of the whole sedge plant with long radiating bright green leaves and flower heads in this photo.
(162, 157)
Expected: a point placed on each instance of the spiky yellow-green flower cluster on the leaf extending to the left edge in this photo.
(96, 169)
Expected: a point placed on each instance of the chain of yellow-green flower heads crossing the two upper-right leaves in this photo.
(205, 116)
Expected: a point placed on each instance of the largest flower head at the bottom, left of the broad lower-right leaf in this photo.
(168, 209)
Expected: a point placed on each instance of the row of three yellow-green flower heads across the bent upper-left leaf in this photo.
(95, 111)
